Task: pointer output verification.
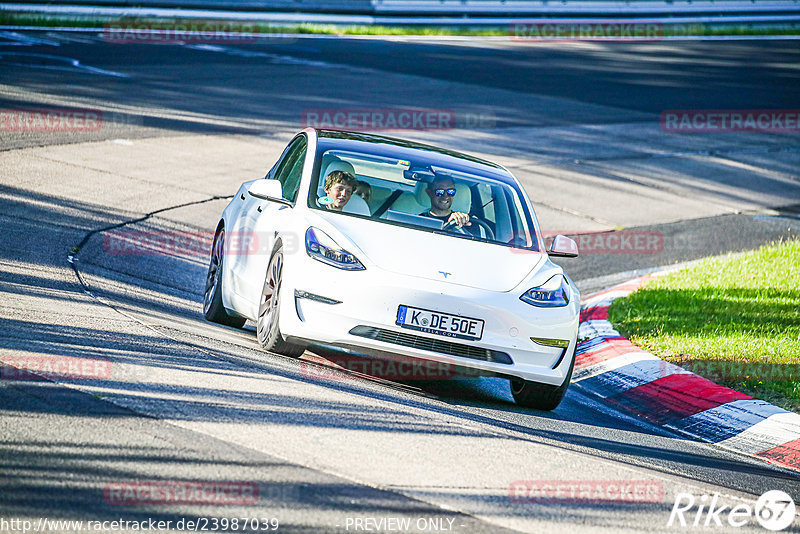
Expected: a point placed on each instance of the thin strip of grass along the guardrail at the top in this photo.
(8, 18)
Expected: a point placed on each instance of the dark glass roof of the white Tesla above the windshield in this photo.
(402, 149)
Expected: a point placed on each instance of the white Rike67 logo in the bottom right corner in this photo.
(774, 510)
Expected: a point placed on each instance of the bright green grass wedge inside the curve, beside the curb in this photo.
(734, 319)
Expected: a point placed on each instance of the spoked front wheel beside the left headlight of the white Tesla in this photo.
(268, 327)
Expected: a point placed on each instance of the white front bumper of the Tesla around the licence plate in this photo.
(356, 311)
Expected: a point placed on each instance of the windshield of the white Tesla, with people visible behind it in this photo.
(413, 193)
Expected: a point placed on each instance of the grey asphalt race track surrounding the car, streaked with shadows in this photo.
(185, 401)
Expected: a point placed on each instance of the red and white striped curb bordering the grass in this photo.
(612, 368)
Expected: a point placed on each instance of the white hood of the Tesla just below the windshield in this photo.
(435, 256)
